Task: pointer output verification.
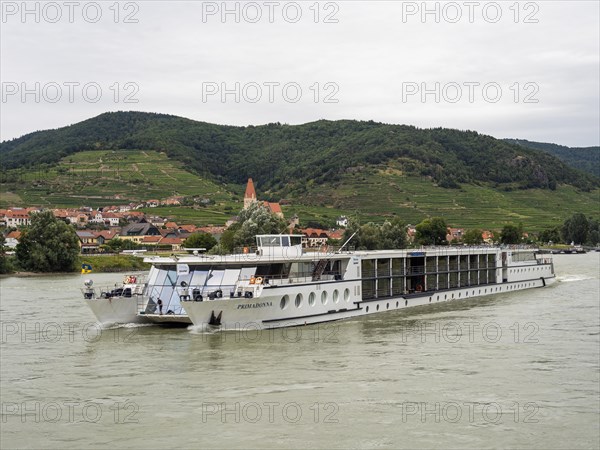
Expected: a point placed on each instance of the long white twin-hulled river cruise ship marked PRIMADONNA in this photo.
(279, 283)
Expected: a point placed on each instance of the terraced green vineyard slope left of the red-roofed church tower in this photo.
(100, 178)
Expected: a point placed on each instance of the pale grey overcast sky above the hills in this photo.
(509, 69)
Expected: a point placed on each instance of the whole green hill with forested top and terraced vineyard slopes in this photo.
(322, 168)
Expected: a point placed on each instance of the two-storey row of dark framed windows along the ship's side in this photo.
(389, 277)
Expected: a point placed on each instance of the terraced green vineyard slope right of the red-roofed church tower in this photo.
(387, 194)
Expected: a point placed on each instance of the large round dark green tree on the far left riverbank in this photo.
(48, 245)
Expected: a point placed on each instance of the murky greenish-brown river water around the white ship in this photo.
(514, 370)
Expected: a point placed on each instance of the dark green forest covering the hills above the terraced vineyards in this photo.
(285, 159)
